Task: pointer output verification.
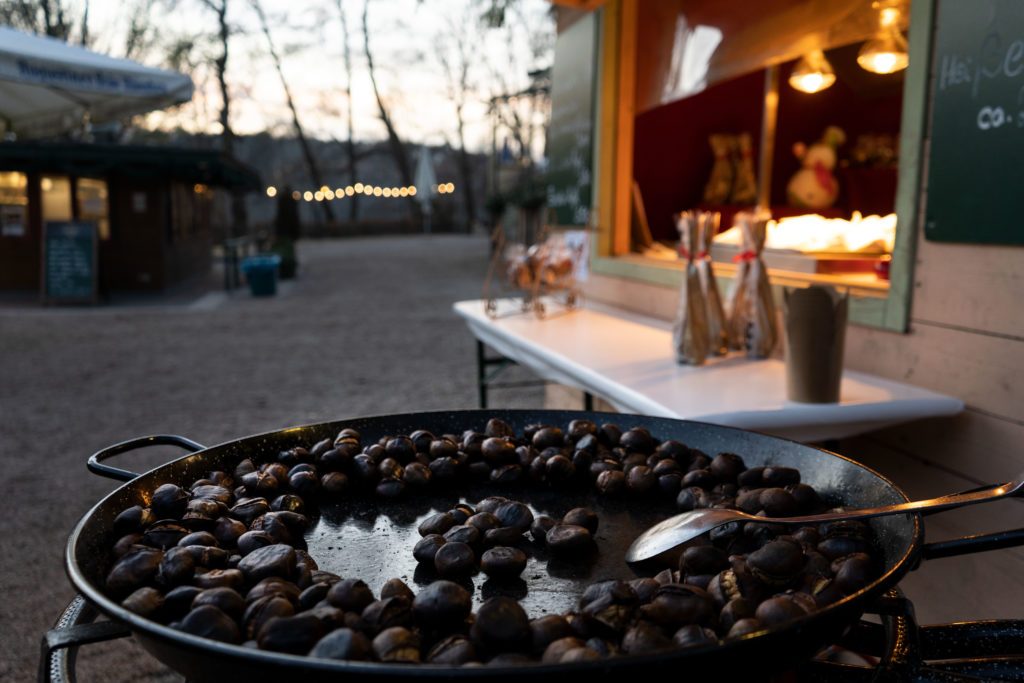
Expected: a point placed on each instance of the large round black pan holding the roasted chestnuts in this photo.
(368, 539)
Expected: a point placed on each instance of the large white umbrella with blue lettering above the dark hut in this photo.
(49, 87)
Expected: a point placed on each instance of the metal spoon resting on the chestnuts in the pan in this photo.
(676, 531)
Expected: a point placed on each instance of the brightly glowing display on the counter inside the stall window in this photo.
(814, 234)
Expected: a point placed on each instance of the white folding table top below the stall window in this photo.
(627, 360)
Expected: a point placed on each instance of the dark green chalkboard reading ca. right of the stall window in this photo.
(977, 148)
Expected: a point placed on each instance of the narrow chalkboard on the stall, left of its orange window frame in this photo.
(571, 137)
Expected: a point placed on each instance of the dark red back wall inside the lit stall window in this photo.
(672, 159)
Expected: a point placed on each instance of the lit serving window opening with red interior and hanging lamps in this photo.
(838, 137)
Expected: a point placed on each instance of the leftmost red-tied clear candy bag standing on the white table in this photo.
(690, 334)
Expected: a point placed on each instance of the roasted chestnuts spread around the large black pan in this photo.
(224, 559)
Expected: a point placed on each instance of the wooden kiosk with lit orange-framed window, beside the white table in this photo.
(950, 317)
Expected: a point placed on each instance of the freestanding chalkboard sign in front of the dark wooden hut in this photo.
(69, 262)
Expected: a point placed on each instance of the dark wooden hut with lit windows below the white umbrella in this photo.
(142, 217)
